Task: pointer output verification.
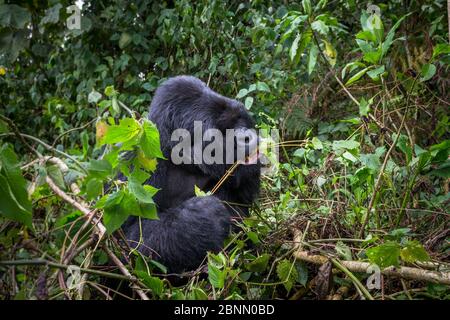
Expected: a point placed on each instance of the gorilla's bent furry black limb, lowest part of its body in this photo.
(182, 235)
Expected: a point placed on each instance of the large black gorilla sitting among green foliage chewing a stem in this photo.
(189, 226)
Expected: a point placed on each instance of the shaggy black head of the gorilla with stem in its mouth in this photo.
(185, 102)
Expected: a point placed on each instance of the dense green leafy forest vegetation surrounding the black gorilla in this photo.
(358, 93)
